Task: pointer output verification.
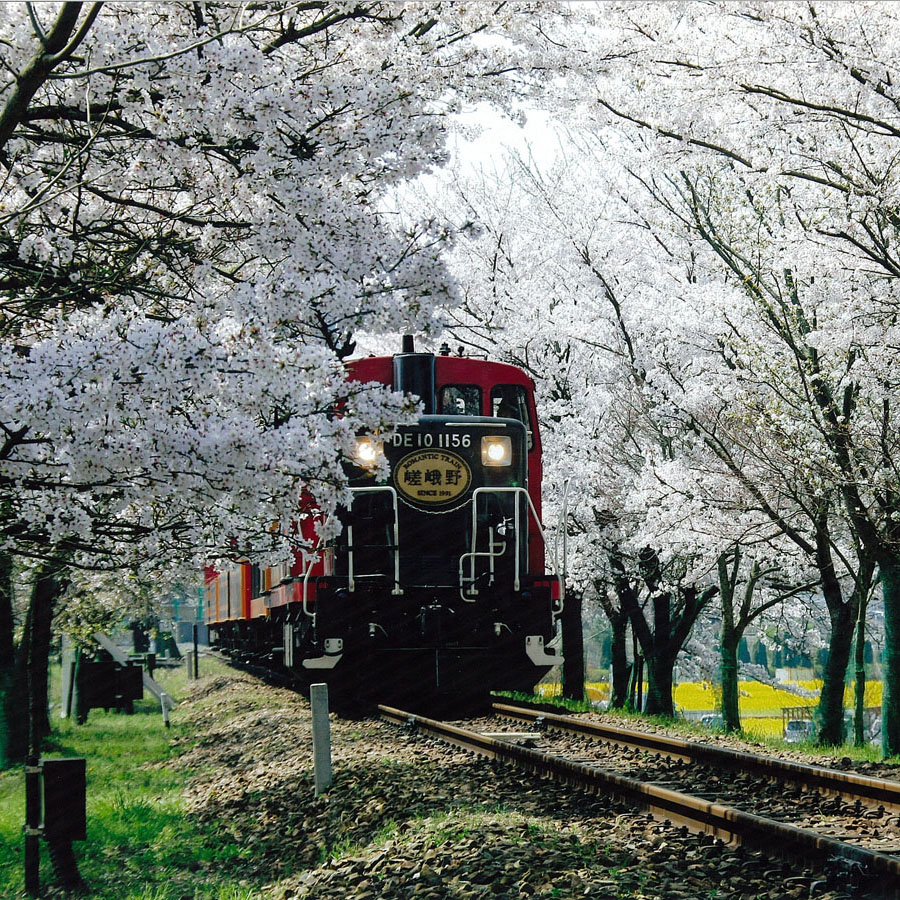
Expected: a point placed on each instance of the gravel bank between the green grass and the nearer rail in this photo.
(412, 817)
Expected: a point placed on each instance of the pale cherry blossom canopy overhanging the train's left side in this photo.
(191, 234)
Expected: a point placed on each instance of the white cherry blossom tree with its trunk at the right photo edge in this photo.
(771, 127)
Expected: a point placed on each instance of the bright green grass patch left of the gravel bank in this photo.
(140, 843)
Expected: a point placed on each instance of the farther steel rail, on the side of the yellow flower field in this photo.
(887, 793)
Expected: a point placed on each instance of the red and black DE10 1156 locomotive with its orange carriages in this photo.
(437, 584)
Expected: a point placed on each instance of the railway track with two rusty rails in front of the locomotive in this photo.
(758, 802)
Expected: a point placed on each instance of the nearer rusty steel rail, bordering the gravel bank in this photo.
(725, 822)
